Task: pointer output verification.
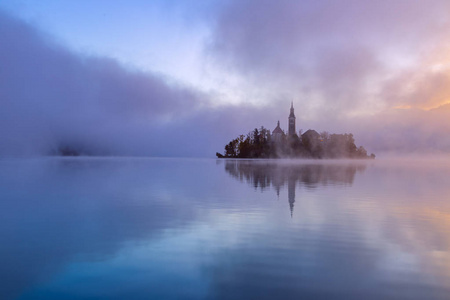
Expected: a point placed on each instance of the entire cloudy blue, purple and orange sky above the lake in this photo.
(182, 78)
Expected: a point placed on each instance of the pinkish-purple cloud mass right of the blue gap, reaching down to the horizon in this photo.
(349, 65)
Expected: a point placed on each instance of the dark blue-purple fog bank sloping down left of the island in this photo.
(52, 97)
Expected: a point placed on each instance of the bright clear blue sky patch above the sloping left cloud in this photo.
(157, 36)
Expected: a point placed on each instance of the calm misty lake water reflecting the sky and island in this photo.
(205, 229)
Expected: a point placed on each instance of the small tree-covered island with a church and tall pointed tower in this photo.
(261, 143)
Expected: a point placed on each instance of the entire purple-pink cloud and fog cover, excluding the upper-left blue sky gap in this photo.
(346, 66)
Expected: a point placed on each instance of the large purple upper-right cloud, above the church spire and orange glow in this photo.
(330, 55)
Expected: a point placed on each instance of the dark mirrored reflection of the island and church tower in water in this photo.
(276, 175)
